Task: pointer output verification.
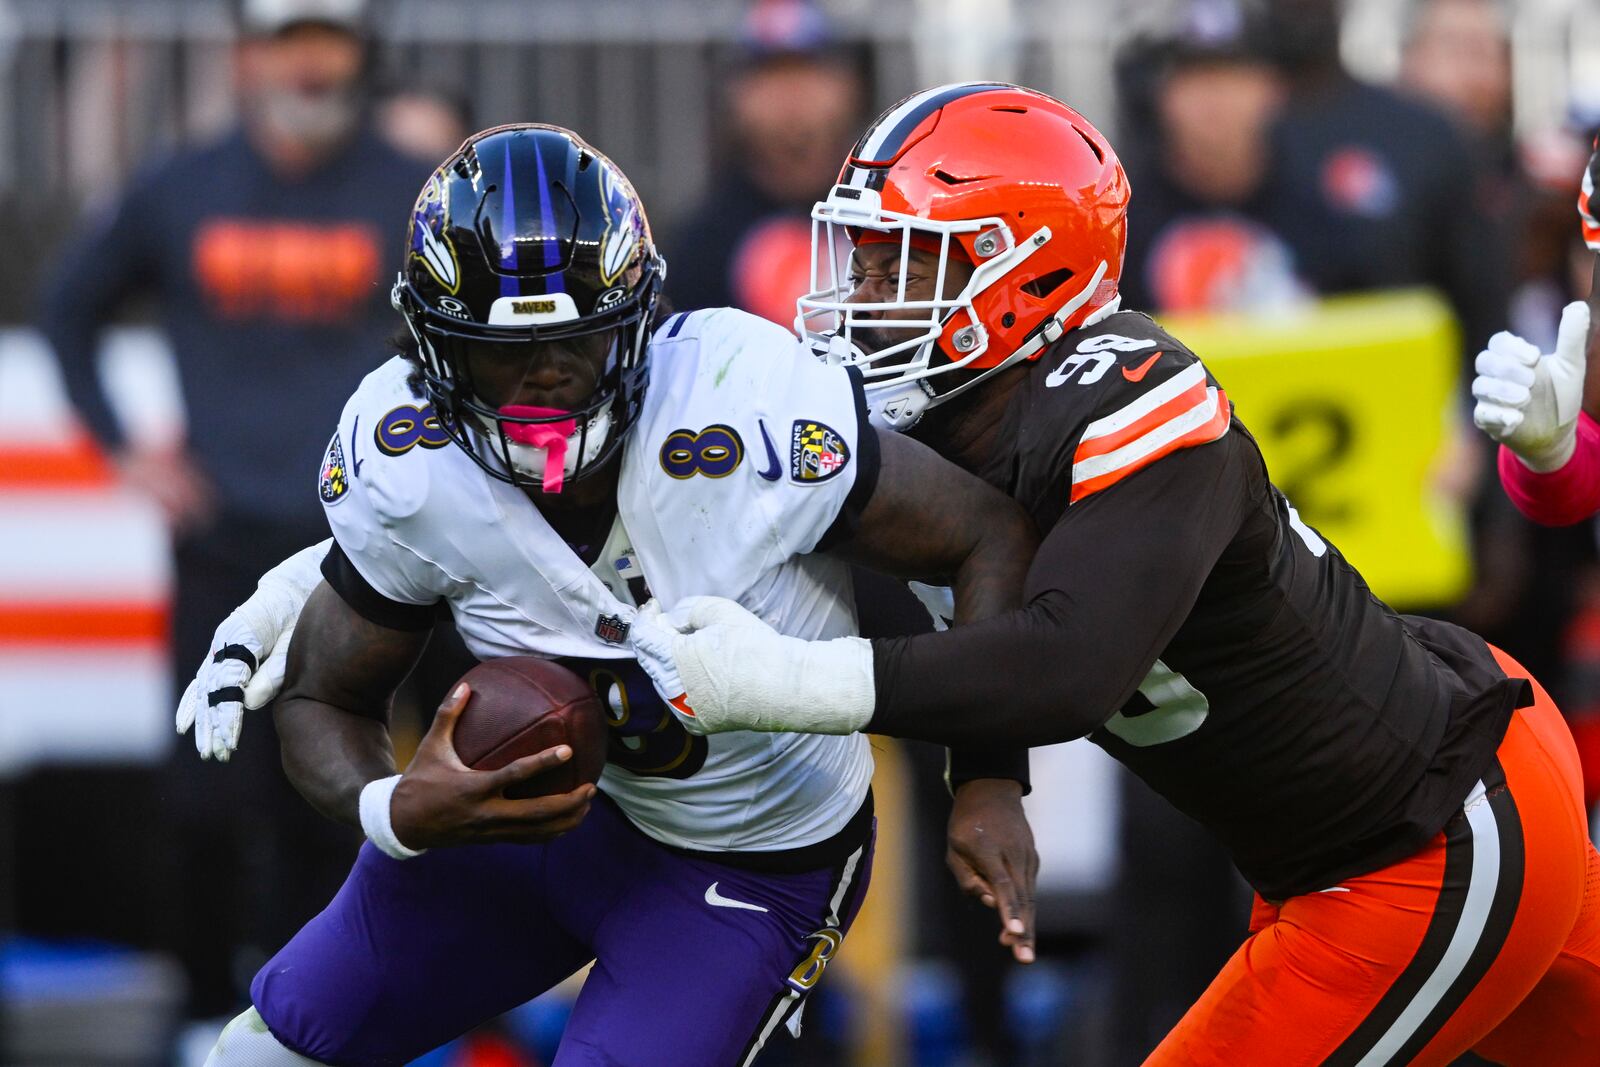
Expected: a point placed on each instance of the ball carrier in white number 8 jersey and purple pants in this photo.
(548, 460)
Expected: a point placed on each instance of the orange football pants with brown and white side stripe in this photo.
(1489, 940)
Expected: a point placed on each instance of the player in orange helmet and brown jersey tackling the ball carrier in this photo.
(1404, 799)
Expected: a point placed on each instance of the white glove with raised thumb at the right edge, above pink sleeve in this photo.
(1530, 402)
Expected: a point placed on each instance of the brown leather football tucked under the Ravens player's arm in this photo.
(524, 705)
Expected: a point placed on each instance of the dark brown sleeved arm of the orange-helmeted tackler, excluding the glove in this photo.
(1108, 589)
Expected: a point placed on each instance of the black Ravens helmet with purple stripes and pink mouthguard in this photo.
(529, 236)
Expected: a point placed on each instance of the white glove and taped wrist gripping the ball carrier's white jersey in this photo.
(722, 668)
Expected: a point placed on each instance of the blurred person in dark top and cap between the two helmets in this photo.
(790, 111)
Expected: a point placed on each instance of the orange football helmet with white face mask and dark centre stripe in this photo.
(1014, 182)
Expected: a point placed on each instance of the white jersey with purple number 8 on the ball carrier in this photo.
(743, 458)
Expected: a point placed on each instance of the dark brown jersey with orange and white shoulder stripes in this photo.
(1185, 618)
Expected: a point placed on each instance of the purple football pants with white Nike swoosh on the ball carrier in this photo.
(412, 954)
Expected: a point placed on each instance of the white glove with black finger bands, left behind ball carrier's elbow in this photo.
(249, 653)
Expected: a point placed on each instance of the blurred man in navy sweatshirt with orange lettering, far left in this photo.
(266, 255)
